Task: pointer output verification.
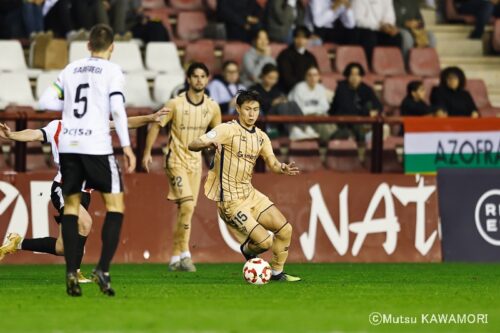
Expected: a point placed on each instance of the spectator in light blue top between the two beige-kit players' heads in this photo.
(223, 89)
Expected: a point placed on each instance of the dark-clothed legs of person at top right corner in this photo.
(482, 10)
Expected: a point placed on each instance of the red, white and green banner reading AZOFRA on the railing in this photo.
(434, 143)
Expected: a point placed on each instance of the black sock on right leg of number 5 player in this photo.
(110, 237)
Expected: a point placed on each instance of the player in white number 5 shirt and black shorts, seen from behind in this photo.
(92, 91)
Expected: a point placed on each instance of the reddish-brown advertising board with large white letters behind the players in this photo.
(337, 217)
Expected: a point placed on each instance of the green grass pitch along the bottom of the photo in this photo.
(331, 298)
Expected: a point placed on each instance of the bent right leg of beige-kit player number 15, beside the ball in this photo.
(273, 220)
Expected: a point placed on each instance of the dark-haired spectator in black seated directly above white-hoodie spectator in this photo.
(294, 61)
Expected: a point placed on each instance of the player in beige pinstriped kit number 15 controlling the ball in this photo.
(249, 213)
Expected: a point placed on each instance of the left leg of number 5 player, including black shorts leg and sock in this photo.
(73, 174)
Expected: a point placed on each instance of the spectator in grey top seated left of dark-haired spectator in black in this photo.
(256, 58)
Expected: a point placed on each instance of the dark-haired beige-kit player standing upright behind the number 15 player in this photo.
(192, 113)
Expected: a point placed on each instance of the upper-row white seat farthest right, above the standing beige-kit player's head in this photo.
(163, 57)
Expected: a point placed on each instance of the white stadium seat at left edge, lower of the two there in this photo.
(15, 89)
